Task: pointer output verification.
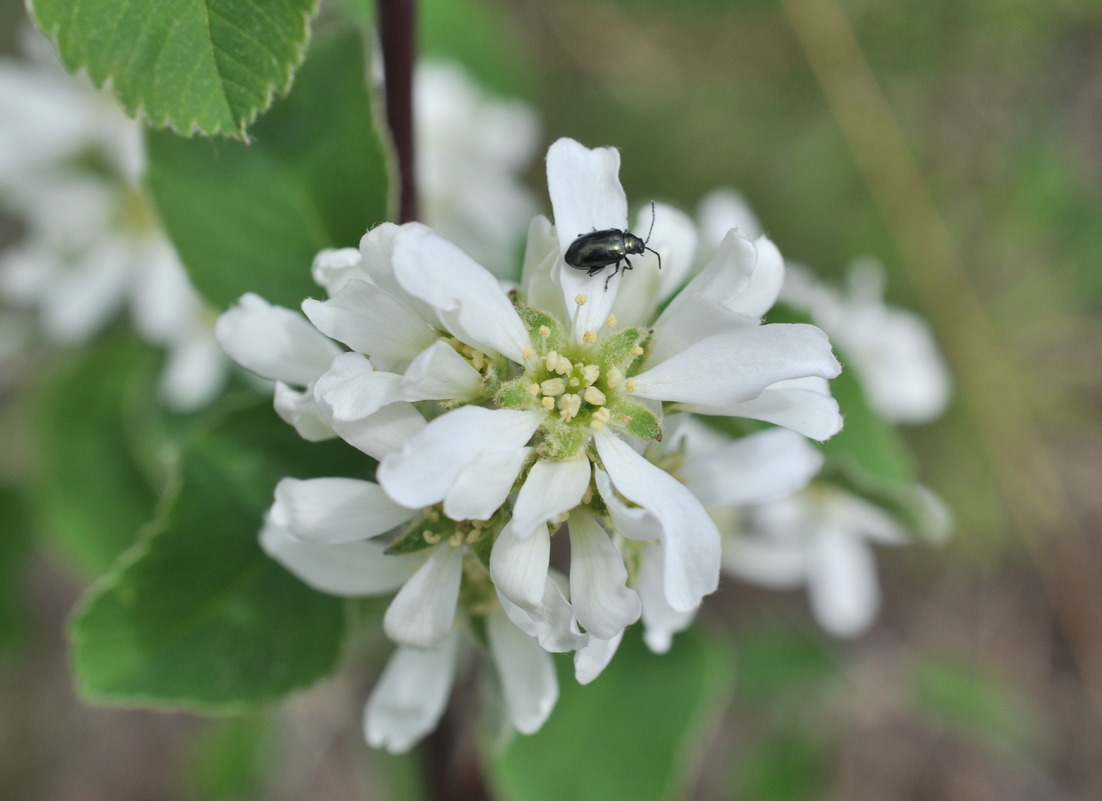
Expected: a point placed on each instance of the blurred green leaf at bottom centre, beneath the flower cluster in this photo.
(635, 733)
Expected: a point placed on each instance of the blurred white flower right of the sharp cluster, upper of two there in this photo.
(892, 351)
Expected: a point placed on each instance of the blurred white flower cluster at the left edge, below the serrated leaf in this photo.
(92, 246)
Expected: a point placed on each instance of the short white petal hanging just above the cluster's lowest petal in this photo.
(424, 612)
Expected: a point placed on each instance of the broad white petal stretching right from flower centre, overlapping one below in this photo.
(739, 365)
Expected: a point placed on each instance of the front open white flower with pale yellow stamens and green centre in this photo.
(553, 389)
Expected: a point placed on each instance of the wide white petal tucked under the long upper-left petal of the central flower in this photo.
(372, 322)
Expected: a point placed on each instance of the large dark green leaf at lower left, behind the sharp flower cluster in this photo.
(197, 615)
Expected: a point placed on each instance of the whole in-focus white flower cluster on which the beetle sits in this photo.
(501, 419)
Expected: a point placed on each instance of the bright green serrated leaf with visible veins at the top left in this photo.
(207, 67)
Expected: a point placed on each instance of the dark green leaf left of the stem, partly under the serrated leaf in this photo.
(252, 219)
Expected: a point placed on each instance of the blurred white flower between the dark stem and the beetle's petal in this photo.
(472, 150)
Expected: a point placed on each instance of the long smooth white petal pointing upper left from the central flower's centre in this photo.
(468, 299)
